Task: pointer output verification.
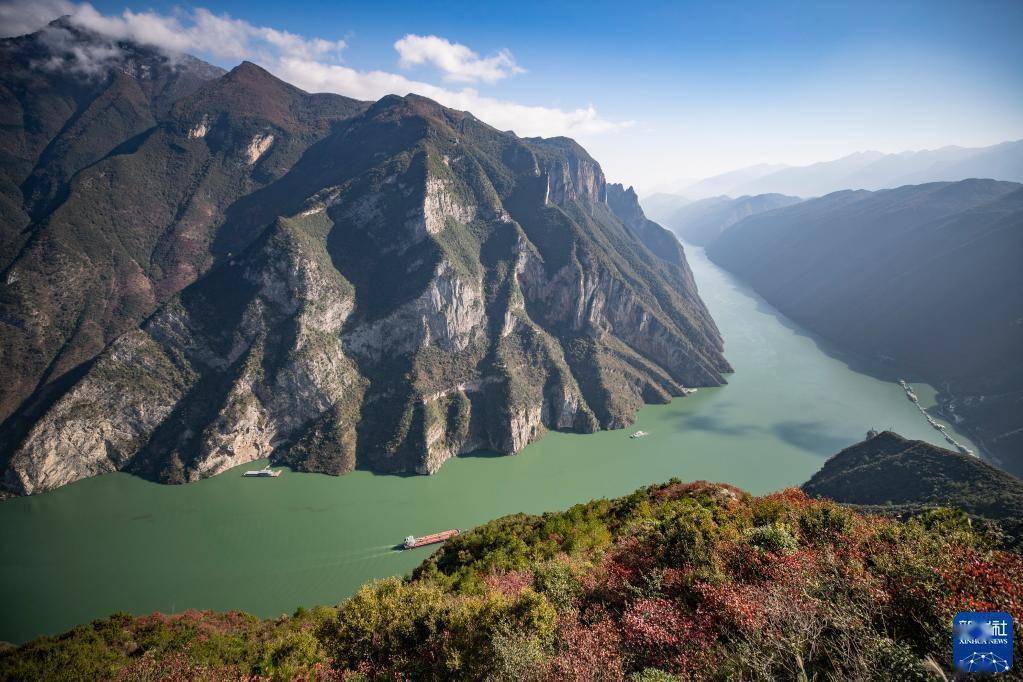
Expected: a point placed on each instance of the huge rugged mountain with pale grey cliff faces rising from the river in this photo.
(433, 288)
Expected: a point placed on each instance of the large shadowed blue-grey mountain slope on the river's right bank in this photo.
(925, 278)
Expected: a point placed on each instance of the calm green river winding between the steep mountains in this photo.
(269, 545)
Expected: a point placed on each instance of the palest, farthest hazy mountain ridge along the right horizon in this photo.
(870, 170)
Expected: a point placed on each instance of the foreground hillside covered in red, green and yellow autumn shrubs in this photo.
(676, 581)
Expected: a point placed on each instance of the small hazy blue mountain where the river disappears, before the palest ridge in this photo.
(703, 221)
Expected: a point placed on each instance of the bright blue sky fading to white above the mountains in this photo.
(662, 93)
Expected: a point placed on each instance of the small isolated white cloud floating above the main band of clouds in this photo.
(460, 64)
